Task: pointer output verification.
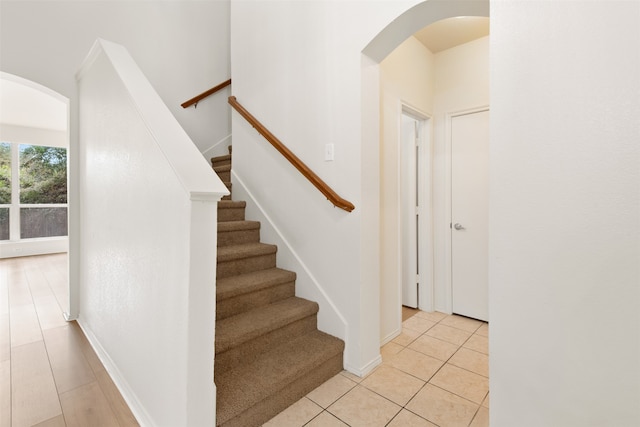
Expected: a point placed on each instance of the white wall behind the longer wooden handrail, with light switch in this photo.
(297, 67)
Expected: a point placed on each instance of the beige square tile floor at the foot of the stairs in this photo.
(436, 373)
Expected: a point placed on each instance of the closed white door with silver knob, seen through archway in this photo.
(470, 214)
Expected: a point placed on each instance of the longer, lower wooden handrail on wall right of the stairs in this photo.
(331, 195)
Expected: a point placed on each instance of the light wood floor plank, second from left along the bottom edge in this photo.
(33, 391)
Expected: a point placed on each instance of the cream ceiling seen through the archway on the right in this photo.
(448, 33)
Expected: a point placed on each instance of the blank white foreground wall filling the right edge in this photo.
(565, 213)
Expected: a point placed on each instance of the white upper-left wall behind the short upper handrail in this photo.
(182, 47)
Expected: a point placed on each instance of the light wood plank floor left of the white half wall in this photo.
(49, 374)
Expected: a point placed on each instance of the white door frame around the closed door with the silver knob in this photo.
(448, 258)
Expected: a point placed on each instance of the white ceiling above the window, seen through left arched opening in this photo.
(23, 105)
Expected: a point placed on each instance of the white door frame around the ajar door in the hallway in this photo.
(425, 224)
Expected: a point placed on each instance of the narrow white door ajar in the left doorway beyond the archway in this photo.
(409, 209)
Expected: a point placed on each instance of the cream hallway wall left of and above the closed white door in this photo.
(461, 83)
